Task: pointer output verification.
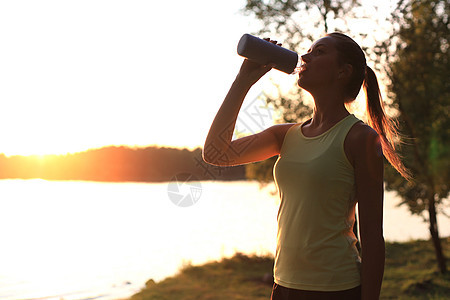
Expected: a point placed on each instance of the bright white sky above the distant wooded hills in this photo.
(76, 75)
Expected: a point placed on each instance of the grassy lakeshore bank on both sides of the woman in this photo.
(410, 273)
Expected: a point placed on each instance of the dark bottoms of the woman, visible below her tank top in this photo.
(282, 293)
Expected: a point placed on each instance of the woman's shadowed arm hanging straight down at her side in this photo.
(367, 159)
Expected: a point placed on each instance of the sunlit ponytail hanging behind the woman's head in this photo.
(384, 126)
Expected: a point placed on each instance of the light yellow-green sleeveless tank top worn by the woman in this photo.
(316, 246)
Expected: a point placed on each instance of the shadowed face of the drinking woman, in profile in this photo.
(319, 66)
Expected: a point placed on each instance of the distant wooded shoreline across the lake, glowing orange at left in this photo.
(118, 164)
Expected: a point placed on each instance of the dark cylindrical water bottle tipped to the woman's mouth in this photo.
(264, 52)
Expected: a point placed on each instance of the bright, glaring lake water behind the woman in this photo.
(85, 240)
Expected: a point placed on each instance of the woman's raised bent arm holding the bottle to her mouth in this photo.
(219, 149)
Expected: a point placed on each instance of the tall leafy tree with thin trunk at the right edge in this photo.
(419, 71)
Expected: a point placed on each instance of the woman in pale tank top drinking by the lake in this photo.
(326, 165)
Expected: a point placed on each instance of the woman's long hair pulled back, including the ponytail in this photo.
(350, 52)
